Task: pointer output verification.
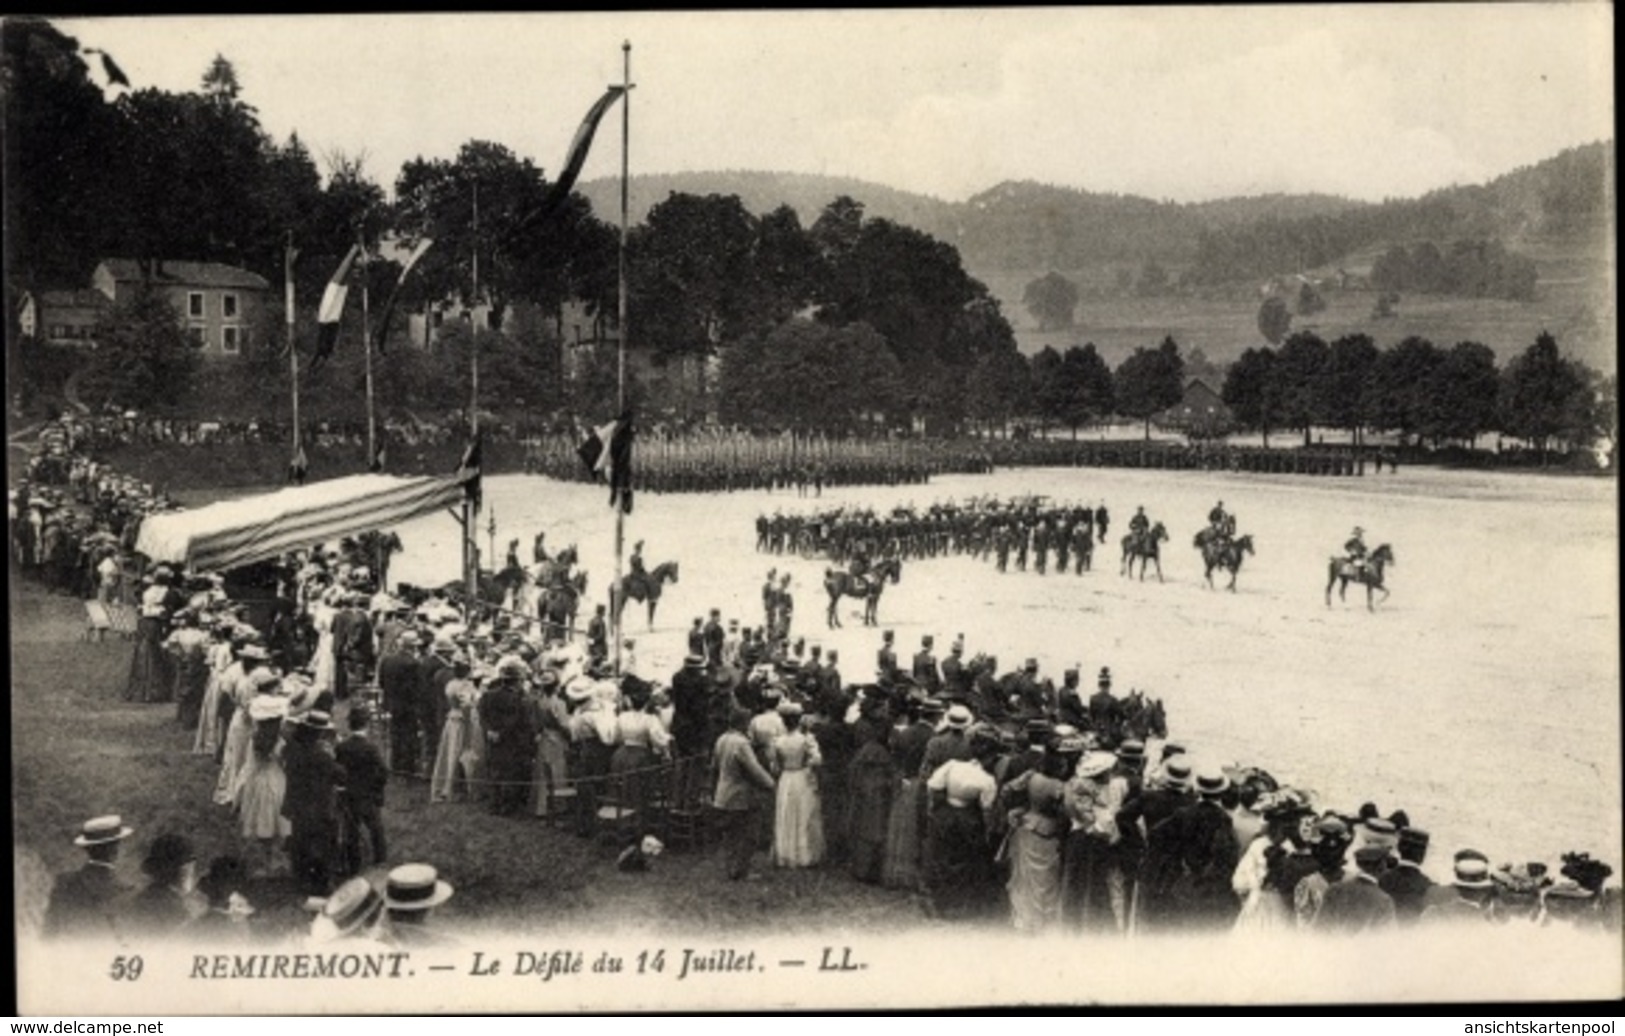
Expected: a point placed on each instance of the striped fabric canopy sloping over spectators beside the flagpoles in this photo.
(238, 533)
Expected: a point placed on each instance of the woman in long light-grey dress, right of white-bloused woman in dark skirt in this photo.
(1034, 848)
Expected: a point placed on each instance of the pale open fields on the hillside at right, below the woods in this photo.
(1575, 304)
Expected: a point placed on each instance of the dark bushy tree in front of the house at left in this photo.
(144, 356)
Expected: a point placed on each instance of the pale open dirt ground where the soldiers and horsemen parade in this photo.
(1483, 696)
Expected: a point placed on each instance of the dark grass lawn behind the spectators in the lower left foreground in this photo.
(80, 751)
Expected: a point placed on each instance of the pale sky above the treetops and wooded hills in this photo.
(1177, 105)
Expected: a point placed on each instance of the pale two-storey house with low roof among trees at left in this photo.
(217, 303)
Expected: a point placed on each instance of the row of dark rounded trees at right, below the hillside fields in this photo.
(1421, 392)
